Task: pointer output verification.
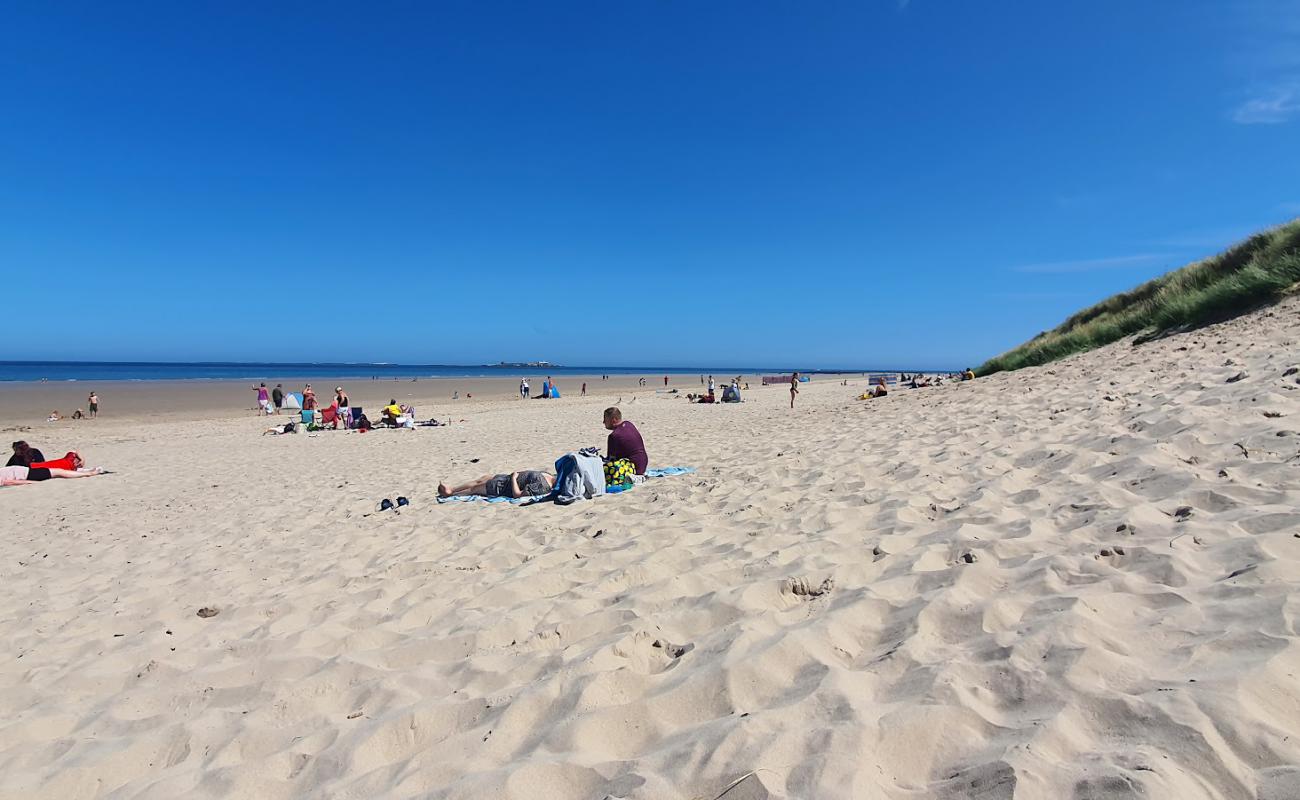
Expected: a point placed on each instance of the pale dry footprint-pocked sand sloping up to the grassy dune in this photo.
(1077, 581)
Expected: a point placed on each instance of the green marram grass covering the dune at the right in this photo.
(1255, 273)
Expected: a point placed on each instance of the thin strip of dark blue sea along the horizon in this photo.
(154, 371)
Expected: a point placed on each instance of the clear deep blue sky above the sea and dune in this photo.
(869, 183)
